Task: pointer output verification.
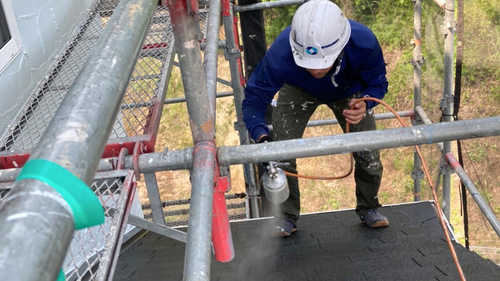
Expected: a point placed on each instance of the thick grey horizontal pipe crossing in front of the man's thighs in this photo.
(352, 142)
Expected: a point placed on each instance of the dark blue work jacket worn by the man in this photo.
(362, 70)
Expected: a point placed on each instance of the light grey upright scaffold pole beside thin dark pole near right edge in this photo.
(447, 102)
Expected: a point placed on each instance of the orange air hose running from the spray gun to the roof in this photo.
(426, 171)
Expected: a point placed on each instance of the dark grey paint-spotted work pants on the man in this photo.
(293, 110)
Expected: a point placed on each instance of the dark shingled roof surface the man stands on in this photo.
(327, 246)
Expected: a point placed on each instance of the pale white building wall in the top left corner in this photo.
(45, 27)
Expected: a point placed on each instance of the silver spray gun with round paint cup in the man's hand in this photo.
(275, 183)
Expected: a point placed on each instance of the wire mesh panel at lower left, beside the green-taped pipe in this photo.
(92, 252)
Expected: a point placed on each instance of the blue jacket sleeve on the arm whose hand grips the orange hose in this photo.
(373, 75)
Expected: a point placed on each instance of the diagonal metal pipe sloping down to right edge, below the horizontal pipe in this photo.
(490, 215)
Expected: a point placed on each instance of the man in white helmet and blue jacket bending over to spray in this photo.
(322, 58)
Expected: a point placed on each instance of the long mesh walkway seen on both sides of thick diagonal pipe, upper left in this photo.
(143, 92)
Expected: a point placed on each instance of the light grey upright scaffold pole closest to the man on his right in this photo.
(417, 89)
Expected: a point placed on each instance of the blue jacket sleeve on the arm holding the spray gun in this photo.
(259, 92)
